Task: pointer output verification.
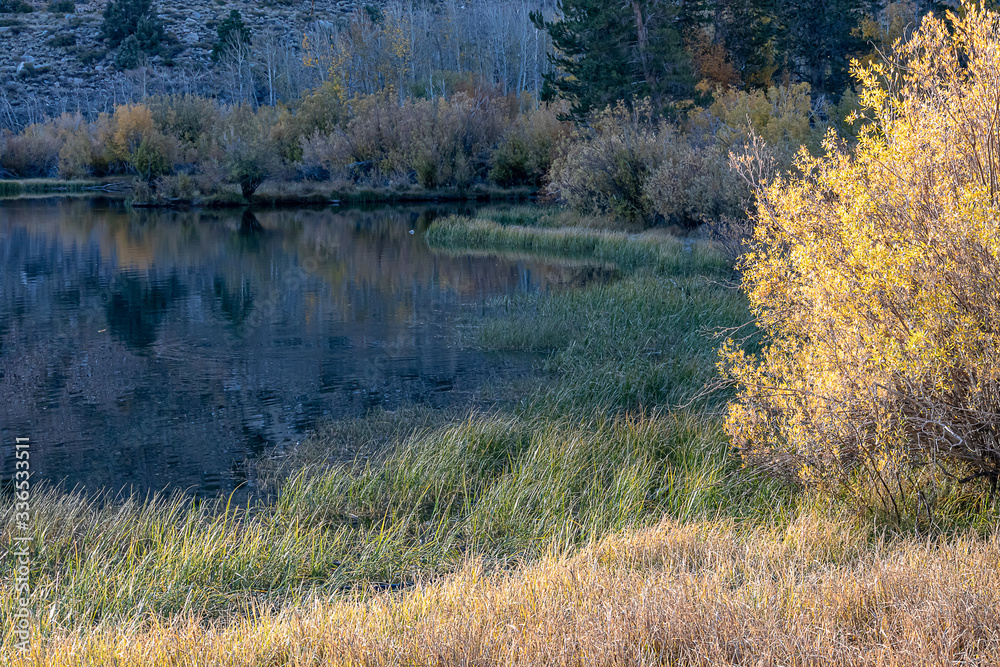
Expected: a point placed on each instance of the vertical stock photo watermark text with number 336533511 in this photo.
(21, 543)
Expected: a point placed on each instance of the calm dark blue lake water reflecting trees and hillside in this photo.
(162, 349)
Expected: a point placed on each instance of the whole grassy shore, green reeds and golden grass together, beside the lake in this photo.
(598, 518)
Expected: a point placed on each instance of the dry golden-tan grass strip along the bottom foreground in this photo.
(819, 592)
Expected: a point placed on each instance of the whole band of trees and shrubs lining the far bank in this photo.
(624, 109)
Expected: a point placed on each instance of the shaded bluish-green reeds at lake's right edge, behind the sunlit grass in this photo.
(642, 341)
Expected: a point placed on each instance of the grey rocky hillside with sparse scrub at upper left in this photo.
(53, 61)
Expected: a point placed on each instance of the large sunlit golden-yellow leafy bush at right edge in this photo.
(874, 277)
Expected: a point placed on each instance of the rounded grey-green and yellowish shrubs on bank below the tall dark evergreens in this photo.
(634, 166)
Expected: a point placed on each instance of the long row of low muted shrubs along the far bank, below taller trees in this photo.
(630, 164)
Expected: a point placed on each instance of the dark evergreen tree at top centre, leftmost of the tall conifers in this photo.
(608, 51)
